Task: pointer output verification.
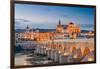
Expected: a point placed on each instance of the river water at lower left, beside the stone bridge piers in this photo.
(28, 57)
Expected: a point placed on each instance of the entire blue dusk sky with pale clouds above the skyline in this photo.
(47, 17)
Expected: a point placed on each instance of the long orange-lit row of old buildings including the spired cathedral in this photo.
(71, 30)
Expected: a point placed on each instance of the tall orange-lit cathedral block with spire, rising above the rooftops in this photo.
(70, 29)
